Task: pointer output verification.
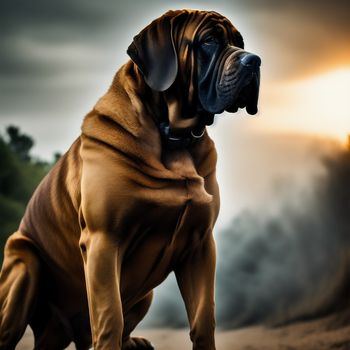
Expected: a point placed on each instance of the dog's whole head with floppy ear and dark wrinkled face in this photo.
(199, 56)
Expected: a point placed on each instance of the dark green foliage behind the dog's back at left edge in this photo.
(19, 176)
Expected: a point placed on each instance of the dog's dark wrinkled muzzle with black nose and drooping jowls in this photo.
(238, 86)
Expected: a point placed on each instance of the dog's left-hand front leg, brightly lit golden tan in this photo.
(101, 264)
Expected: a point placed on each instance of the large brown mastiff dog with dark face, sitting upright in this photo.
(134, 198)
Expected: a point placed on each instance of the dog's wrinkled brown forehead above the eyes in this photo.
(192, 26)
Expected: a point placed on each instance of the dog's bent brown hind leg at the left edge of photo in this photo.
(18, 286)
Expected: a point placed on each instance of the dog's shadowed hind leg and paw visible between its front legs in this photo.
(131, 320)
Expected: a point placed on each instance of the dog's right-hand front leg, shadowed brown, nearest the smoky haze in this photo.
(195, 276)
